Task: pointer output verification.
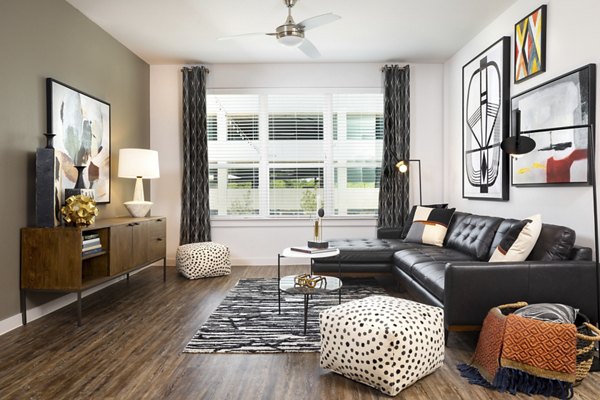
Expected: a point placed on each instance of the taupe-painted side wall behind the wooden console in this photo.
(49, 38)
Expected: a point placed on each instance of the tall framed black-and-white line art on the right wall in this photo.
(485, 106)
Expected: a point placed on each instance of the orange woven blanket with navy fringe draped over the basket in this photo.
(518, 354)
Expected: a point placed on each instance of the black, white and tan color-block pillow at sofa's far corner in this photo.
(430, 226)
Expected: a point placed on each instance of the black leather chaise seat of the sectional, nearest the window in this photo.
(365, 250)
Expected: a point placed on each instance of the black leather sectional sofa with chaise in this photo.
(458, 277)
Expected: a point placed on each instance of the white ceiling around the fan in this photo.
(186, 31)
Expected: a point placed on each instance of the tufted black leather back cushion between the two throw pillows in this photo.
(473, 235)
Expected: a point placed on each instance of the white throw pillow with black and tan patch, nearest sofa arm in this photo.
(518, 249)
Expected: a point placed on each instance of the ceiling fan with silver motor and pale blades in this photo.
(291, 34)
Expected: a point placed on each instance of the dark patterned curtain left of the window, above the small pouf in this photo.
(195, 210)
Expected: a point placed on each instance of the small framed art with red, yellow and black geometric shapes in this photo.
(530, 45)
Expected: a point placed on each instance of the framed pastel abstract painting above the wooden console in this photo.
(81, 124)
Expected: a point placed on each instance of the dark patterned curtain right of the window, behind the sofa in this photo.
(393, 189)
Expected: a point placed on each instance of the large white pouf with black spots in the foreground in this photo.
(381, 341)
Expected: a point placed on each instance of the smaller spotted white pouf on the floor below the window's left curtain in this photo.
(203, 260)
